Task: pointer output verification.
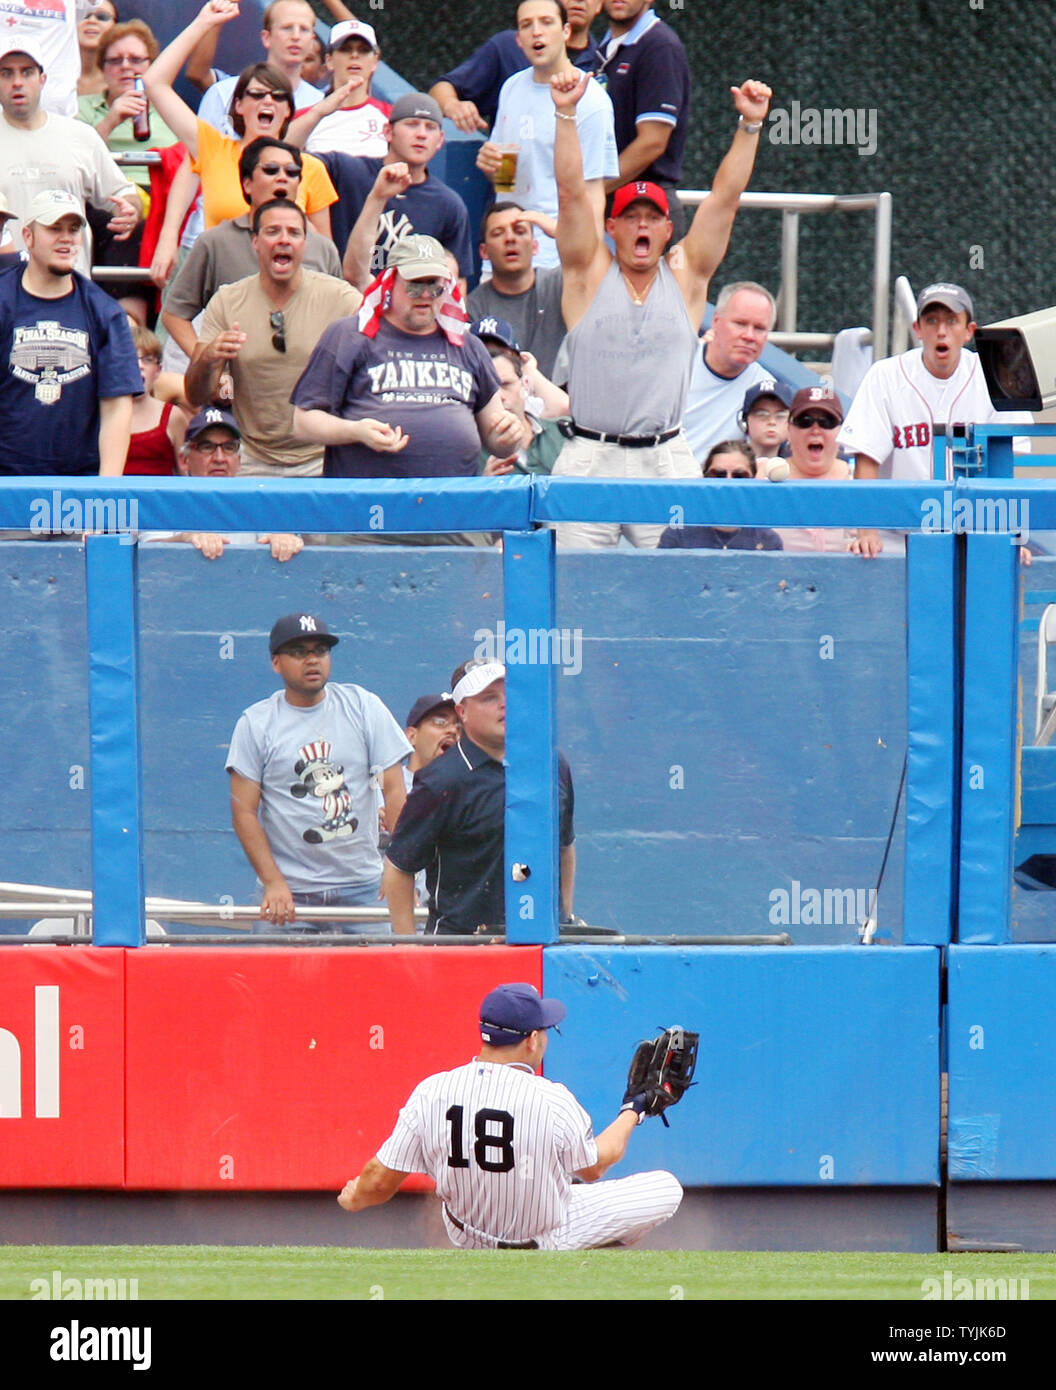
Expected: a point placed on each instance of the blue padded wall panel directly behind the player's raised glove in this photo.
(790, 1086)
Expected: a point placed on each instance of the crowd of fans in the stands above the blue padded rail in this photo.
(308, 272)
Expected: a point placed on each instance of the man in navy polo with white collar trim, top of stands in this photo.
(645, 72)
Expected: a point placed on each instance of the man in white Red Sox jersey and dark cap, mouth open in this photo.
(894, 415)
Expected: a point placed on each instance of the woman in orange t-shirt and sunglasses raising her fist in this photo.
(262, 105)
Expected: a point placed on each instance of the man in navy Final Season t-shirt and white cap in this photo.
(70, 365)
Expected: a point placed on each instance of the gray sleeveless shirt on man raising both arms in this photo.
(630, 365)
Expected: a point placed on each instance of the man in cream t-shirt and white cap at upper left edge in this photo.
(41, 151)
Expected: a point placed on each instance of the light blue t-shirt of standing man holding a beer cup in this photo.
(527, 119)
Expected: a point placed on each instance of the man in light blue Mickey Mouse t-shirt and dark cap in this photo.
(304, 767)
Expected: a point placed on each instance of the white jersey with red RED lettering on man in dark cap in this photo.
(898, 405)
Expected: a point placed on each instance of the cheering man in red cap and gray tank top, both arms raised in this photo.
(634, 316)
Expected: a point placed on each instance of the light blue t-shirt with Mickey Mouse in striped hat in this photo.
(317, 769)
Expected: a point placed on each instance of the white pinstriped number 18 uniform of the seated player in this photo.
(502, 1146)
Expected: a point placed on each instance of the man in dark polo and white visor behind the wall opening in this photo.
(454, 824)
